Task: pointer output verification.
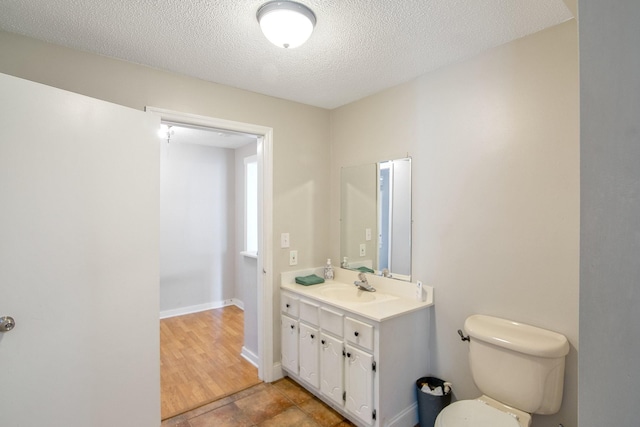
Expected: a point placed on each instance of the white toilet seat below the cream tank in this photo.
(474, 413)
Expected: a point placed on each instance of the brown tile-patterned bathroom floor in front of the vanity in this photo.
(283, 403)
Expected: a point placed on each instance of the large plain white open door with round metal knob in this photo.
(79, 197)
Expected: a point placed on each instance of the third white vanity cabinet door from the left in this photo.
(331, 368)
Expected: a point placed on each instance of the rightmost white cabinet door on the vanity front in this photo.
(359, 383)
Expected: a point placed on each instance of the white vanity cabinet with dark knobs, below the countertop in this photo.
(365, 369)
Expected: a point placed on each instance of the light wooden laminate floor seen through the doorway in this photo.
(200, 359)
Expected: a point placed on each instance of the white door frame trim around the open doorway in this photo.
(265, 214)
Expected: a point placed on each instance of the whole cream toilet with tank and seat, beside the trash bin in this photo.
(519, 369)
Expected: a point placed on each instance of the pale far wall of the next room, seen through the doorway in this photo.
(197, 226)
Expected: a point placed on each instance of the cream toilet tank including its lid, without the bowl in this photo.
(519, 365)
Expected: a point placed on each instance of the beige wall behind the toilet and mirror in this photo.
(495, 161)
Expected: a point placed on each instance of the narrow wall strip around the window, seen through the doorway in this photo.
(246, 274)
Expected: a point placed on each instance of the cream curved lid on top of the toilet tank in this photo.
(516, 336)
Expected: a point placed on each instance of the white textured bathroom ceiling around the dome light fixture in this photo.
(358, 48)
